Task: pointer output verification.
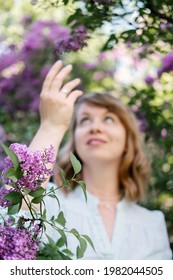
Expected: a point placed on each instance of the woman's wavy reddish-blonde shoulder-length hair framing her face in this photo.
(134, 168)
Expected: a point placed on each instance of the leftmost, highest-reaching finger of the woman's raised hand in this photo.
(51, 75)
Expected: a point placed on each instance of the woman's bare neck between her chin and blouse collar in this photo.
(102, 182)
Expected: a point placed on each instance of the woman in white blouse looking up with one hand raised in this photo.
(106, 140)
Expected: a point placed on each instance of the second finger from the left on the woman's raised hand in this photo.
(60, 77)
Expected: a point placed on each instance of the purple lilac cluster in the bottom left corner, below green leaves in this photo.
(17, 244)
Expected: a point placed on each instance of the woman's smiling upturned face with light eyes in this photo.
(99, 135)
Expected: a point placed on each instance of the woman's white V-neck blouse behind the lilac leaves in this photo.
(138, 234)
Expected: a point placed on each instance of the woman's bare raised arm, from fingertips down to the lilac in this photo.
(56, 107)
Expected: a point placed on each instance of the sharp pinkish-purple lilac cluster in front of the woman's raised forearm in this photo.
(33, 165)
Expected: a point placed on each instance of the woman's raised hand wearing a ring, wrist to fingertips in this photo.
(57, 99)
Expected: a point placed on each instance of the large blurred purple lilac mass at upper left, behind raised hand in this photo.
(29, 62)
